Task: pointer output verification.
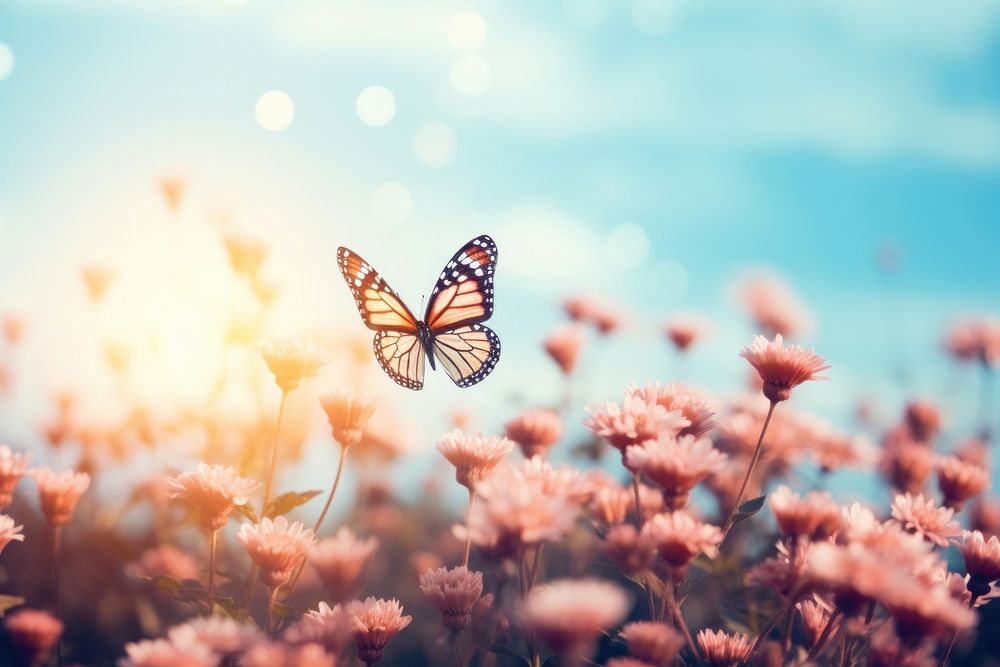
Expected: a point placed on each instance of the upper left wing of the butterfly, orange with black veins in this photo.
(379, 305)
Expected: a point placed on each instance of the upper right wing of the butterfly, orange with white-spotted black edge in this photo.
(463, 294)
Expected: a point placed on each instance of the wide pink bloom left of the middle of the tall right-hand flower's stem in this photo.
(676, 465)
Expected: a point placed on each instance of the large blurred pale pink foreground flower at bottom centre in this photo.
(570, 614)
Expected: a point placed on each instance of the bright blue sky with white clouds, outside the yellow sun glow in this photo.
(649, 151)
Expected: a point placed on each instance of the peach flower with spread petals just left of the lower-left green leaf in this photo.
(214, 490)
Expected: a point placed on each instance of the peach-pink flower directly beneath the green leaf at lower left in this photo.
(276, 547)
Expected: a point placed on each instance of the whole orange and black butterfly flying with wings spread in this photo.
(452, 330)
